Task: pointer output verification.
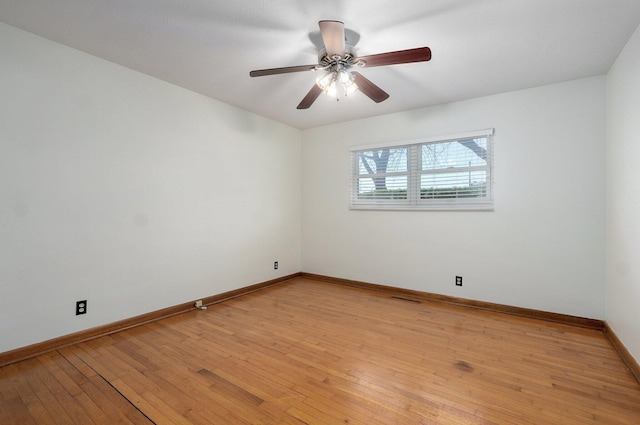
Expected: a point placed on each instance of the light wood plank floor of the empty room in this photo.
(309, 352)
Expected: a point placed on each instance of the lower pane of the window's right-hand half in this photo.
(469, 184)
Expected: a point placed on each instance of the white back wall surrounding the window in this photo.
(542, 247)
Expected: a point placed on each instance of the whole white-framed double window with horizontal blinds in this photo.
(451, 172)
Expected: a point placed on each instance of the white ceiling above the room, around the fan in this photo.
(480, 47)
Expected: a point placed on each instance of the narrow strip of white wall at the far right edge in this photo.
(623, 196)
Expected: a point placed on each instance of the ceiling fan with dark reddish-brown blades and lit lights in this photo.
(337, 59)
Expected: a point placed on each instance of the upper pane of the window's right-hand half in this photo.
(454, 154)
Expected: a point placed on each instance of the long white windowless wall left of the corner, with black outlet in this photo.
(129, 192)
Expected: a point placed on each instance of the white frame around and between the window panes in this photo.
(414, 173)
